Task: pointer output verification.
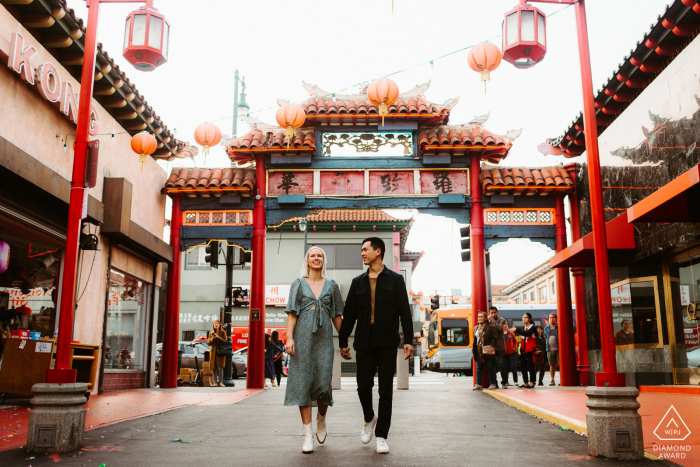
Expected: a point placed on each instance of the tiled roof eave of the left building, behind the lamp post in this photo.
(112, 88)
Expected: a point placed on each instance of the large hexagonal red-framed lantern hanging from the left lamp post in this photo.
(146, 38)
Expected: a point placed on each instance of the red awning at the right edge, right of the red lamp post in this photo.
(677, 201)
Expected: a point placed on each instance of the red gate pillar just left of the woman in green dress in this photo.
(256, 334)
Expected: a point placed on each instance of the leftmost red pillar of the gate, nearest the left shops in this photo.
(171, 321)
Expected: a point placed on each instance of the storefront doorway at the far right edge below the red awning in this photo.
(682, 283)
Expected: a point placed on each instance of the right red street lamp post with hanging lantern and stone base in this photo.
(524, 45)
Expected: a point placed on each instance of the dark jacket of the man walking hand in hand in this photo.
(390, 306)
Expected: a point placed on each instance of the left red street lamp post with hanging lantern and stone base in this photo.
(61, 380)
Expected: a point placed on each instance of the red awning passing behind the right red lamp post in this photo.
(620, 237)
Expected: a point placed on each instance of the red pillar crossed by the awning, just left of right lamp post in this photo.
(581, 331)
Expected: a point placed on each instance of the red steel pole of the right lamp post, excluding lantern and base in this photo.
(609, 376)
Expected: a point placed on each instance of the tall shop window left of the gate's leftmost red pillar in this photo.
(126, 322)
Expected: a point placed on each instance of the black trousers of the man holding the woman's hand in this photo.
(382, 359)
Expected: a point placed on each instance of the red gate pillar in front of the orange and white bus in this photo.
(478, 249)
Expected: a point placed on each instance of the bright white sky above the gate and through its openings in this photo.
(339, 43)
